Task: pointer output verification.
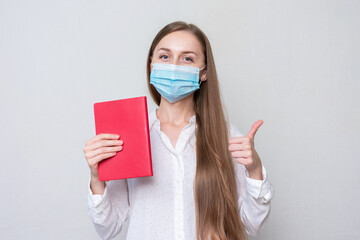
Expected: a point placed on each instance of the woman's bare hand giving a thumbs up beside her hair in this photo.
(243, 150)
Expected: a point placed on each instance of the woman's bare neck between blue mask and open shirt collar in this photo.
(176, 113)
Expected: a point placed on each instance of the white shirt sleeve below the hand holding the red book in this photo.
(109, 211)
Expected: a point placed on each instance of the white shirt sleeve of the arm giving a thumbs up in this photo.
(254, 196)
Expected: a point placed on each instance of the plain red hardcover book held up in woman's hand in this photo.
(129, 119)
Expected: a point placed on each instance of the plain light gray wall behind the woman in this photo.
(294, 64)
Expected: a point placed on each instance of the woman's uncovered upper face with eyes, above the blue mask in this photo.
(179, 48)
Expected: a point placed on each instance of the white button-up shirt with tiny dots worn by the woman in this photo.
(163, 206)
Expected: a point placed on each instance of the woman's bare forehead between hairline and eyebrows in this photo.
(180, 41)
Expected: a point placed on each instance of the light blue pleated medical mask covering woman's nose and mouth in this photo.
(174, 82)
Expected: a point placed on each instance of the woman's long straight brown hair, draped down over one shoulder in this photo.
(217, 212)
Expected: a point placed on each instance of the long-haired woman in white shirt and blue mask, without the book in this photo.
(208, 181)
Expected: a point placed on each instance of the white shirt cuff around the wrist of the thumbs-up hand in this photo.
(259, 188)
